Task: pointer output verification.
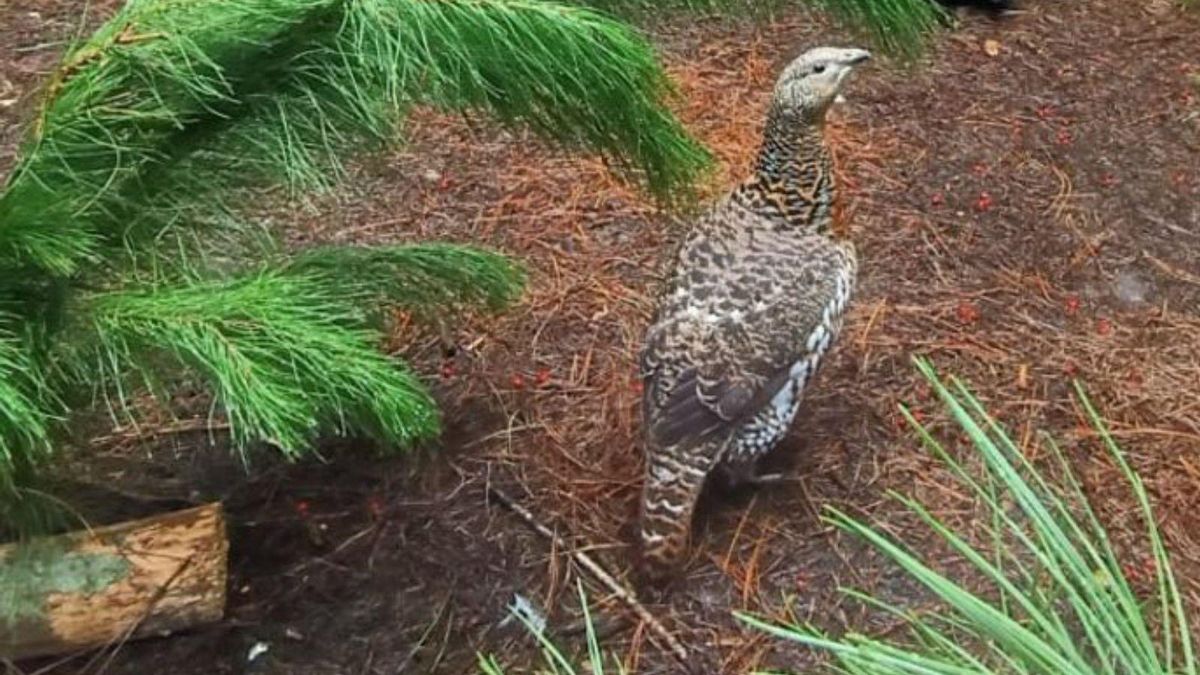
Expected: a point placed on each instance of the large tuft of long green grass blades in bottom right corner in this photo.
(1058, 600)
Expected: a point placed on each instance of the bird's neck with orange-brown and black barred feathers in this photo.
(793, 184)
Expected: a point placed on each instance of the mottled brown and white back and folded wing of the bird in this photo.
(724, 344)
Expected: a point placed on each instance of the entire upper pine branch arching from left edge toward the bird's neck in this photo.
(175, 104)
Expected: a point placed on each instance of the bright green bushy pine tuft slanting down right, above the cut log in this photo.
(286, 359)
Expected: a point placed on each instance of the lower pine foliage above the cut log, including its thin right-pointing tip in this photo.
(289, 351)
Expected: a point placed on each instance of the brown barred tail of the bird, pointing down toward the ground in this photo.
(669, 499)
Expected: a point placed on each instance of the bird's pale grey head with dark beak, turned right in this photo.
(811, 85)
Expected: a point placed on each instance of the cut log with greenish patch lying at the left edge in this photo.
(134, 580)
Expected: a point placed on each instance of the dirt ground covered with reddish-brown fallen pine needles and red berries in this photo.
(1028, 210)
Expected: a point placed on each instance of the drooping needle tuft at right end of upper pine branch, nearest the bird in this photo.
(569, 74)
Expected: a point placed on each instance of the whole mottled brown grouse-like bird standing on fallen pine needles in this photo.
(754, 298)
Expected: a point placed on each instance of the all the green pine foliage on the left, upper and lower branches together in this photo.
(127, 261)
